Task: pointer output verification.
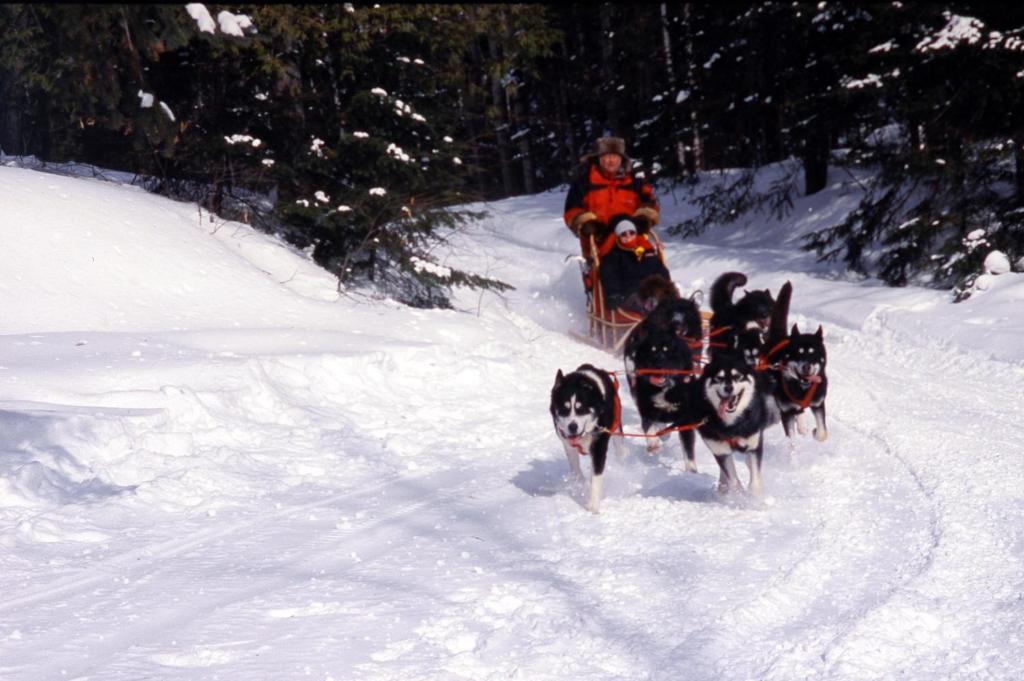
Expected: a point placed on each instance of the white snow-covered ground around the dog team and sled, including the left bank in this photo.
(215, 467)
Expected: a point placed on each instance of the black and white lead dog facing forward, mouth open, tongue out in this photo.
(736, 413)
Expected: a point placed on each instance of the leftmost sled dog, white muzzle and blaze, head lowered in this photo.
(586, 411)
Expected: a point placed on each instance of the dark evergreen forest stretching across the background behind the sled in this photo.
(358, 131)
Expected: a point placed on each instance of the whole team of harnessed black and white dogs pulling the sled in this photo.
(757, 374)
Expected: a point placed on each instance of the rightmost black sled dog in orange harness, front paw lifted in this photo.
(801, 381)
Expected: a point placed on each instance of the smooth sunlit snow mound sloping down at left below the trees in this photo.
(88, 256)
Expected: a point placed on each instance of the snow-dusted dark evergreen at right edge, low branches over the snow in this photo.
(949, 93)
